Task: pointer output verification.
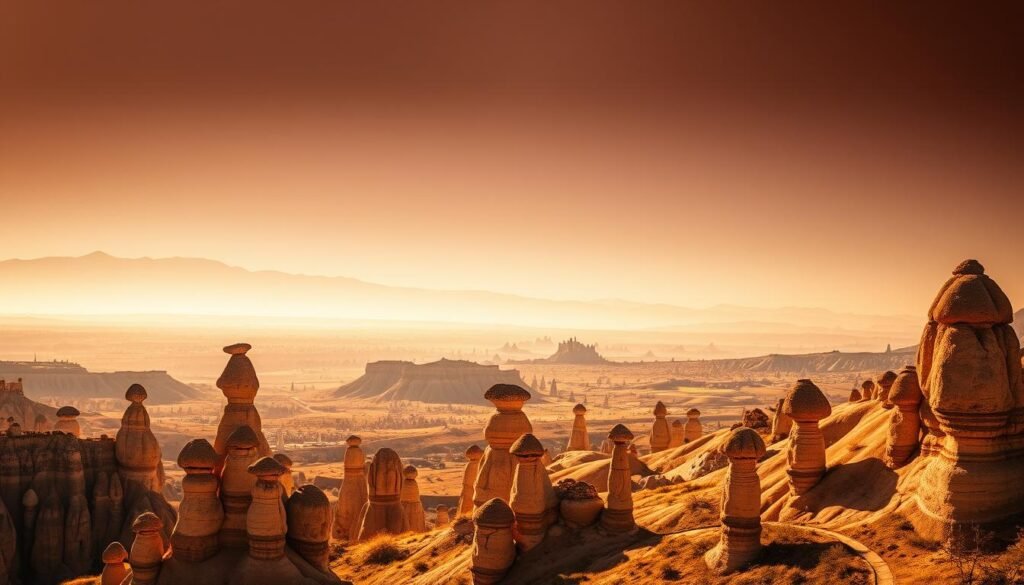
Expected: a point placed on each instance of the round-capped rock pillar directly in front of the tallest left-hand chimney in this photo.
(237, 486)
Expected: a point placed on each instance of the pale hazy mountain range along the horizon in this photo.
(103, 285)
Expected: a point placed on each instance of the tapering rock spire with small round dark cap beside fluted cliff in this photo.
(137, 449)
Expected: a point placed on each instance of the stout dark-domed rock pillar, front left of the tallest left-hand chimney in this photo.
(200, 514)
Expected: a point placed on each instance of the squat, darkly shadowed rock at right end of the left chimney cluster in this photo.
(310, 525)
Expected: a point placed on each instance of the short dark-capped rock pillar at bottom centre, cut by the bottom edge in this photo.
(494, 550)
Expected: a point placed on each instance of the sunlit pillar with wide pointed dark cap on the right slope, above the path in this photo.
(806, 406)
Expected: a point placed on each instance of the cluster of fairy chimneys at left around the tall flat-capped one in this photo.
(241, 519)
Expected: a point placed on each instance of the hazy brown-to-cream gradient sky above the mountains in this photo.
(692, 153)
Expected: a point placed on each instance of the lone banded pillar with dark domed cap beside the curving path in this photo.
(741, 540)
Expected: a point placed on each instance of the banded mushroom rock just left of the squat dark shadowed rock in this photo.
(267, 524)
